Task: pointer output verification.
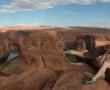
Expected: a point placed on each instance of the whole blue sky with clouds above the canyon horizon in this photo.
(93, 13)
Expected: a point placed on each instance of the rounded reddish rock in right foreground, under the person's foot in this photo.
(74, 77)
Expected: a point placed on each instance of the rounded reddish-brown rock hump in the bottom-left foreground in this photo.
(42, 79)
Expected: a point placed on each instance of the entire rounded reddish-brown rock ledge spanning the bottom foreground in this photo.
(48, 79)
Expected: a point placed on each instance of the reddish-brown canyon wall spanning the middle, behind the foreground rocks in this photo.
(45, 47)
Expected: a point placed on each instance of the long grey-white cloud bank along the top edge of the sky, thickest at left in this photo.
(30, 5)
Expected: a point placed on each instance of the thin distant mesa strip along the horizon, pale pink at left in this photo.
(41, 27)
